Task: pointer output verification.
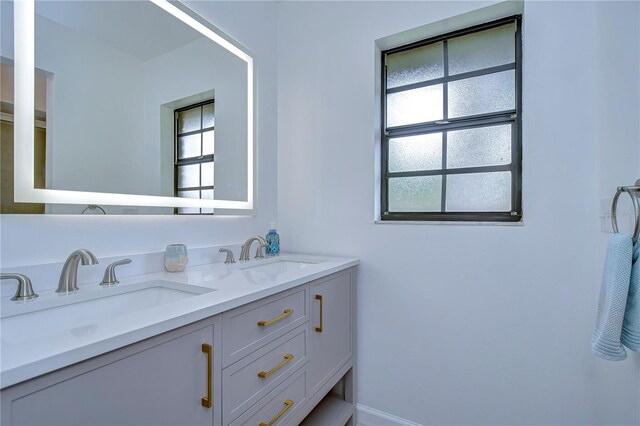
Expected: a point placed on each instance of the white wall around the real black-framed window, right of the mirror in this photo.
(458, 324)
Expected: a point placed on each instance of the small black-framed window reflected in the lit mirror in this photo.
(194, 150)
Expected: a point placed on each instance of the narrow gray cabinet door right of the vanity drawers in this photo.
(331, 327)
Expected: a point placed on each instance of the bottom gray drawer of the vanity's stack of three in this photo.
(281, 405)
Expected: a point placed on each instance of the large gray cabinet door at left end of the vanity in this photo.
(161, 385)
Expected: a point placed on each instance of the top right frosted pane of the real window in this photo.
(484, 49)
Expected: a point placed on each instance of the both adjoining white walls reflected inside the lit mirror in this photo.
(100, 151)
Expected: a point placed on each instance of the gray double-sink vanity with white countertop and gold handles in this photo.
(263, 342)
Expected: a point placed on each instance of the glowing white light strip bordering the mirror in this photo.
(24, 59)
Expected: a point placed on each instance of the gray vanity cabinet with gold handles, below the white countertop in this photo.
(284, 359)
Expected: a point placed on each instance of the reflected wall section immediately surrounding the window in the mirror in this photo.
(203, 68)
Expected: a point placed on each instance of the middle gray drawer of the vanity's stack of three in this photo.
(251, 378)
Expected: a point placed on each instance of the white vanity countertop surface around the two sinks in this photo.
(32, 354)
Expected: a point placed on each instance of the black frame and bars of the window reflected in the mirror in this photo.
(210, 158)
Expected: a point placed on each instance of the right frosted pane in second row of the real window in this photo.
(483, 94)
